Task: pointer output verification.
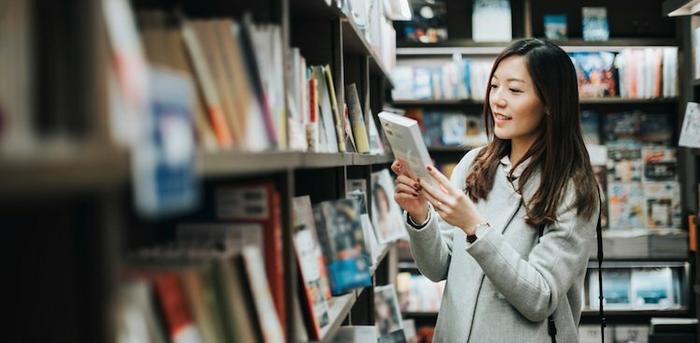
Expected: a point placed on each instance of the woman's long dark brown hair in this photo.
(559, 151)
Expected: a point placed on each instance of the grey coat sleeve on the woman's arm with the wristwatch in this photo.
(535, 285)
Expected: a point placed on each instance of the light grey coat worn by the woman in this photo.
(503, 287)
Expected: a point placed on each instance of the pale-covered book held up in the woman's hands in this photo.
(407, 144)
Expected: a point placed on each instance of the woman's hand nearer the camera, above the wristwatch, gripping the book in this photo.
(453, 205)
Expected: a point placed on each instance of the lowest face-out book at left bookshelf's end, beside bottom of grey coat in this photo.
(387, 312)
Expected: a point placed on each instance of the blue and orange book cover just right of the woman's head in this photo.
(595, 73)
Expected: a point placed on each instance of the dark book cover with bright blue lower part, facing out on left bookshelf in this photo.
(340, 233)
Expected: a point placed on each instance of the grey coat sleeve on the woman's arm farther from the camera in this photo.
(431, 245)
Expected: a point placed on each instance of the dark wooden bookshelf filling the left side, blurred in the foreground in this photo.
(70, 208)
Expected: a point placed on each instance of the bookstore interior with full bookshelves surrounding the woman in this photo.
(219, 171)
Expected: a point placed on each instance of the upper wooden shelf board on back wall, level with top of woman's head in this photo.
(469, 47)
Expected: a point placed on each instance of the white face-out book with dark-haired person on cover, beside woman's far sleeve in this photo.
(386, 213)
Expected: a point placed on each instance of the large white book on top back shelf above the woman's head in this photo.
(491, 21)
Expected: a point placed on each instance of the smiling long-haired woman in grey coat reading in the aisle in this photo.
(479, 230)
